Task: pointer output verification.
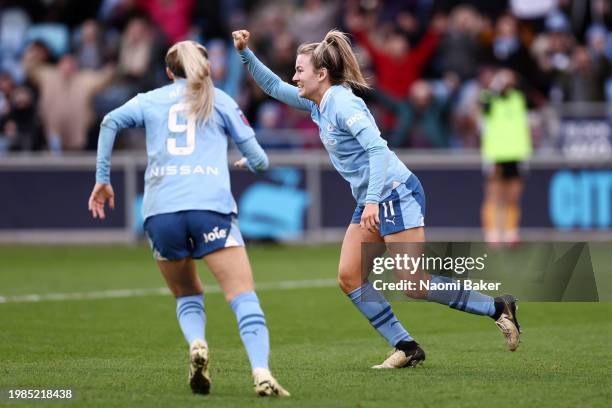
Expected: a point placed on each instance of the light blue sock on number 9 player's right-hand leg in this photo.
(252, 328)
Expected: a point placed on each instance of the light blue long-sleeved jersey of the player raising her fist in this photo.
(348, 132)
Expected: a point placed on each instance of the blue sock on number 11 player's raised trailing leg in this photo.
(469, 301)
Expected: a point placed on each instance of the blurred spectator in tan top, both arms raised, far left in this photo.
(65, 98)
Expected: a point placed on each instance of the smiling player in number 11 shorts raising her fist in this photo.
(381, 184)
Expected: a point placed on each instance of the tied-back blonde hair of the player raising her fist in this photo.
(335, 54)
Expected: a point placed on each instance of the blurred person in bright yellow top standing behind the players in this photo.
(506, 143)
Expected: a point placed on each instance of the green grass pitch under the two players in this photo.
(130, 352)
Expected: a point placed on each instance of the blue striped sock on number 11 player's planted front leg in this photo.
(378, 312)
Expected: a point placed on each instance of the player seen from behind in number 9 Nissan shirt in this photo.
(188, 206)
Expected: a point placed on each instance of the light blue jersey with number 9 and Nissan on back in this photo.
(187, 166)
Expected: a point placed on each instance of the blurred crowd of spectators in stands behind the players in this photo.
(65, 63)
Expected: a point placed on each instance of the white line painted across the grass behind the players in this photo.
(129, 293)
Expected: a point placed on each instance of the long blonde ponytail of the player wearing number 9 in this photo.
(189, 60)
